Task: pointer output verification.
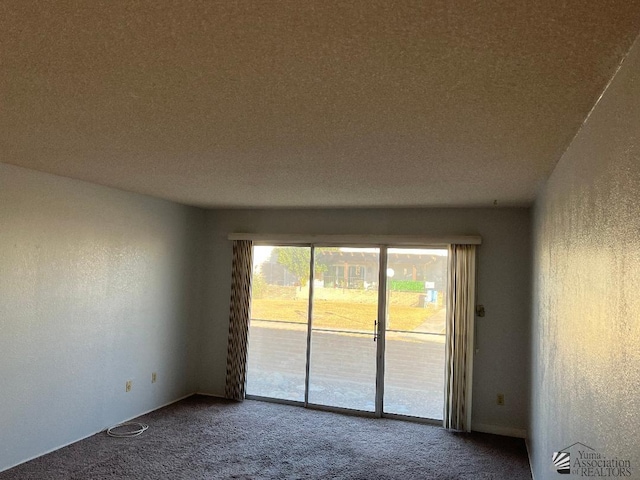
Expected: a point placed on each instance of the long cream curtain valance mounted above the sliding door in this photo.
(395, 240)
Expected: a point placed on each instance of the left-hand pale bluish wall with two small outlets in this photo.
(95, 289)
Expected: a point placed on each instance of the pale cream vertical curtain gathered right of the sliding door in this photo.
(460, 329)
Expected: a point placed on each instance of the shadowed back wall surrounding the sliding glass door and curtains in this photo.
(501, 364)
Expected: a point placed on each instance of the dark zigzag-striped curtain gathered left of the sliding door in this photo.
(239, 319)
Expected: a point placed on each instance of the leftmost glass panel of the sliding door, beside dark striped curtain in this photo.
(277, 351)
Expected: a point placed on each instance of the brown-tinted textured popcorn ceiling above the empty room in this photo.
(306, 103)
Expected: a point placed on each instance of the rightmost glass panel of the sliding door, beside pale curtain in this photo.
(415, 332)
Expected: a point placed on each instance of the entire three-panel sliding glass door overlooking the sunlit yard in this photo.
(328, 330)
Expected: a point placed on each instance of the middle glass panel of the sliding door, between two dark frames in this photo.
(342, 370)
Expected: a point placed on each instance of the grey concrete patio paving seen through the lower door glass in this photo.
(343, 369)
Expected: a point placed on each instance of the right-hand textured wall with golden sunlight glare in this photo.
(586, 304)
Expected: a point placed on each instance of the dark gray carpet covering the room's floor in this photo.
(202, 438)
